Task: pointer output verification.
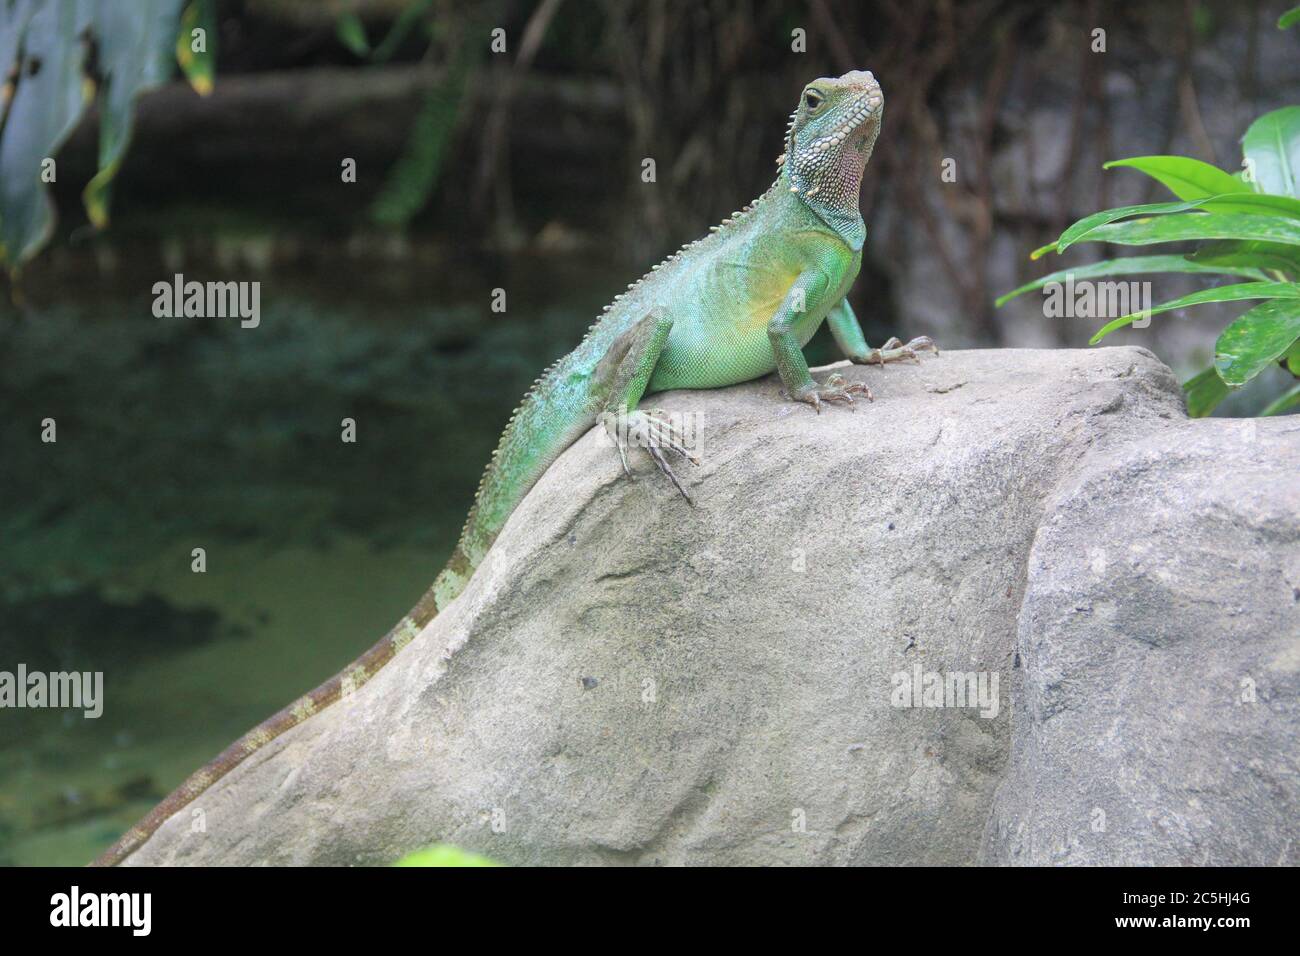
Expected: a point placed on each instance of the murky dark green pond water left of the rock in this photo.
(183, 434)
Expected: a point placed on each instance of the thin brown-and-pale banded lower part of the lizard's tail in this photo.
(340, 686)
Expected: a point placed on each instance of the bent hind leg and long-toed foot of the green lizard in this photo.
(621, 380)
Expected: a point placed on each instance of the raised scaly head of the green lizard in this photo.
(830, 140)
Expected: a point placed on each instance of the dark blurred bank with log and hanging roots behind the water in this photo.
(540, 149)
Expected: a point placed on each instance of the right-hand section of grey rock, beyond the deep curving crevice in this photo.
(1155, 712)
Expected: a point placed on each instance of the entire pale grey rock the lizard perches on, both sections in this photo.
(634, 681)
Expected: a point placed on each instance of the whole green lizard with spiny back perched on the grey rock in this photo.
(723, 310)
